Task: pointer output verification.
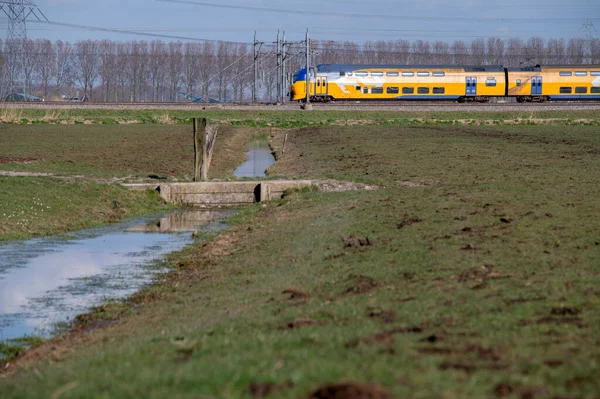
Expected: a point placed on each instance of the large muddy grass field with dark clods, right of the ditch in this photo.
(473, 272)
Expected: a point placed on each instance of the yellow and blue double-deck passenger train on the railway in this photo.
(331, 82)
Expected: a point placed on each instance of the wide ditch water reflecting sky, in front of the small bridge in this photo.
(51, 280)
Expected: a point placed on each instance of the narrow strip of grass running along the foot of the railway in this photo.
(295, 119)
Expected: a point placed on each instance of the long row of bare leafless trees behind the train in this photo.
(160, 71)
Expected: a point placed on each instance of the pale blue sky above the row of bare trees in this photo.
(339, 20)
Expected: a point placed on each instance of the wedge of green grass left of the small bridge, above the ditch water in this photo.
(41, 206)
